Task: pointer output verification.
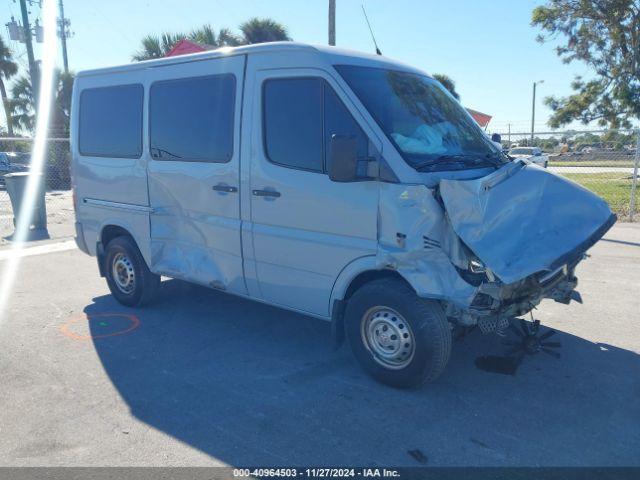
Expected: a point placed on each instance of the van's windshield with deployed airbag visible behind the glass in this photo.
(431, 130)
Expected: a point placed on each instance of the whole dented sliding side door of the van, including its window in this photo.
(194, 123)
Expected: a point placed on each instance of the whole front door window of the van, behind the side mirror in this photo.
(300, 115)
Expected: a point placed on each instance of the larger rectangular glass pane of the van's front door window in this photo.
(292, 119)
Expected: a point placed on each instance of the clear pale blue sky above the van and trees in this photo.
(488, 47)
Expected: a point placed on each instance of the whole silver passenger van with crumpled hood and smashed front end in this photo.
(345, 186)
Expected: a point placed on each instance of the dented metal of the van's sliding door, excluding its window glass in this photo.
(195, 219)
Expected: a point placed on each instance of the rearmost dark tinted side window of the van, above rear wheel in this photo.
(111, 121)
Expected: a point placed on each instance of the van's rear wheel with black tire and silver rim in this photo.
(128, 277)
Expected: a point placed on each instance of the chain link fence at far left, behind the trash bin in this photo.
(15, 156)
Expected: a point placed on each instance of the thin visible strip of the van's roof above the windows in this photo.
(334, 55)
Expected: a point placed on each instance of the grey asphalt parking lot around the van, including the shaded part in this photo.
(203, 378)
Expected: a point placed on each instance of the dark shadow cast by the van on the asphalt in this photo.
(254, 385)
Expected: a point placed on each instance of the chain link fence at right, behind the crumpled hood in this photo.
(604, 161)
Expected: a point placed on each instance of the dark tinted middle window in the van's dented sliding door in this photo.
(191, 119)
